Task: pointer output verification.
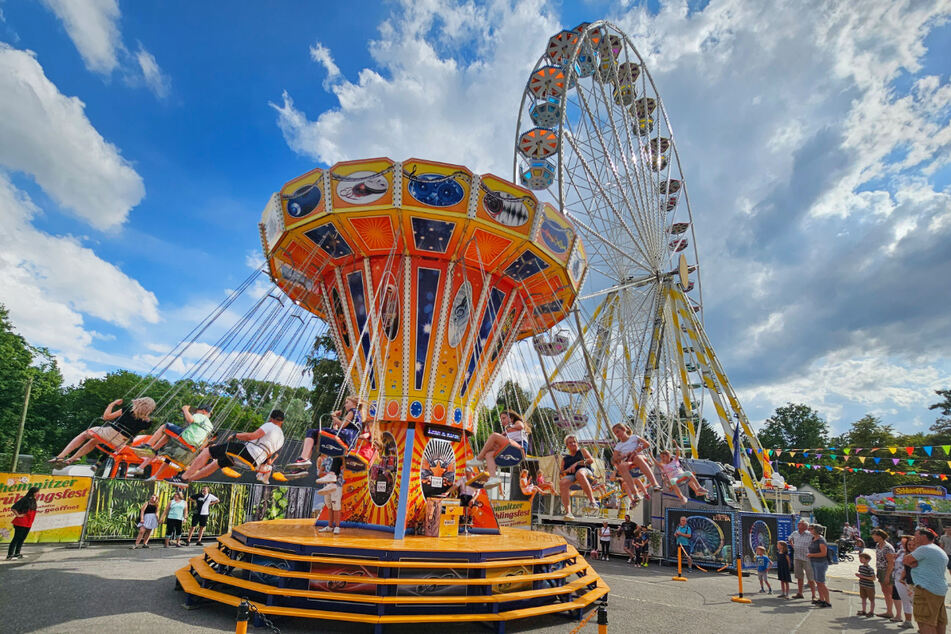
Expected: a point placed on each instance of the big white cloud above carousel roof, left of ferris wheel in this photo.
(424, 98)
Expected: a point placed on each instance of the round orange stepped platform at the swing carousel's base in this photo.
(287, 568)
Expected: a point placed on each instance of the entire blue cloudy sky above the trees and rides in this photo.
(140, 141)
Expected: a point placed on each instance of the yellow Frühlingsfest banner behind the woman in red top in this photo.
(60, 505)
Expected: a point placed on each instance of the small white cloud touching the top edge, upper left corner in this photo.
(91, 25)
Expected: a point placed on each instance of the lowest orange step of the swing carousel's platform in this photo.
(191, 586)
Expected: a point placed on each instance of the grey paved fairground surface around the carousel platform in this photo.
(109, 588)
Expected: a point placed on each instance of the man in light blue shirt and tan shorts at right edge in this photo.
(929, 563)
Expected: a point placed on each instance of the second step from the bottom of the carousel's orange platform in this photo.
(207, 573)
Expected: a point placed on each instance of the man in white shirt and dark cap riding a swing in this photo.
(254, 447)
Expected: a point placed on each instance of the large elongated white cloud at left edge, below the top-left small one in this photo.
(47, 135)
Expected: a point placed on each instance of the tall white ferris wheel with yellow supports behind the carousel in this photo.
(594, 136)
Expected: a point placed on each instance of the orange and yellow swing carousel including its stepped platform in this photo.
(425, 275)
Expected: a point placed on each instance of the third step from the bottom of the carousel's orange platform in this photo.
(219, 557)
